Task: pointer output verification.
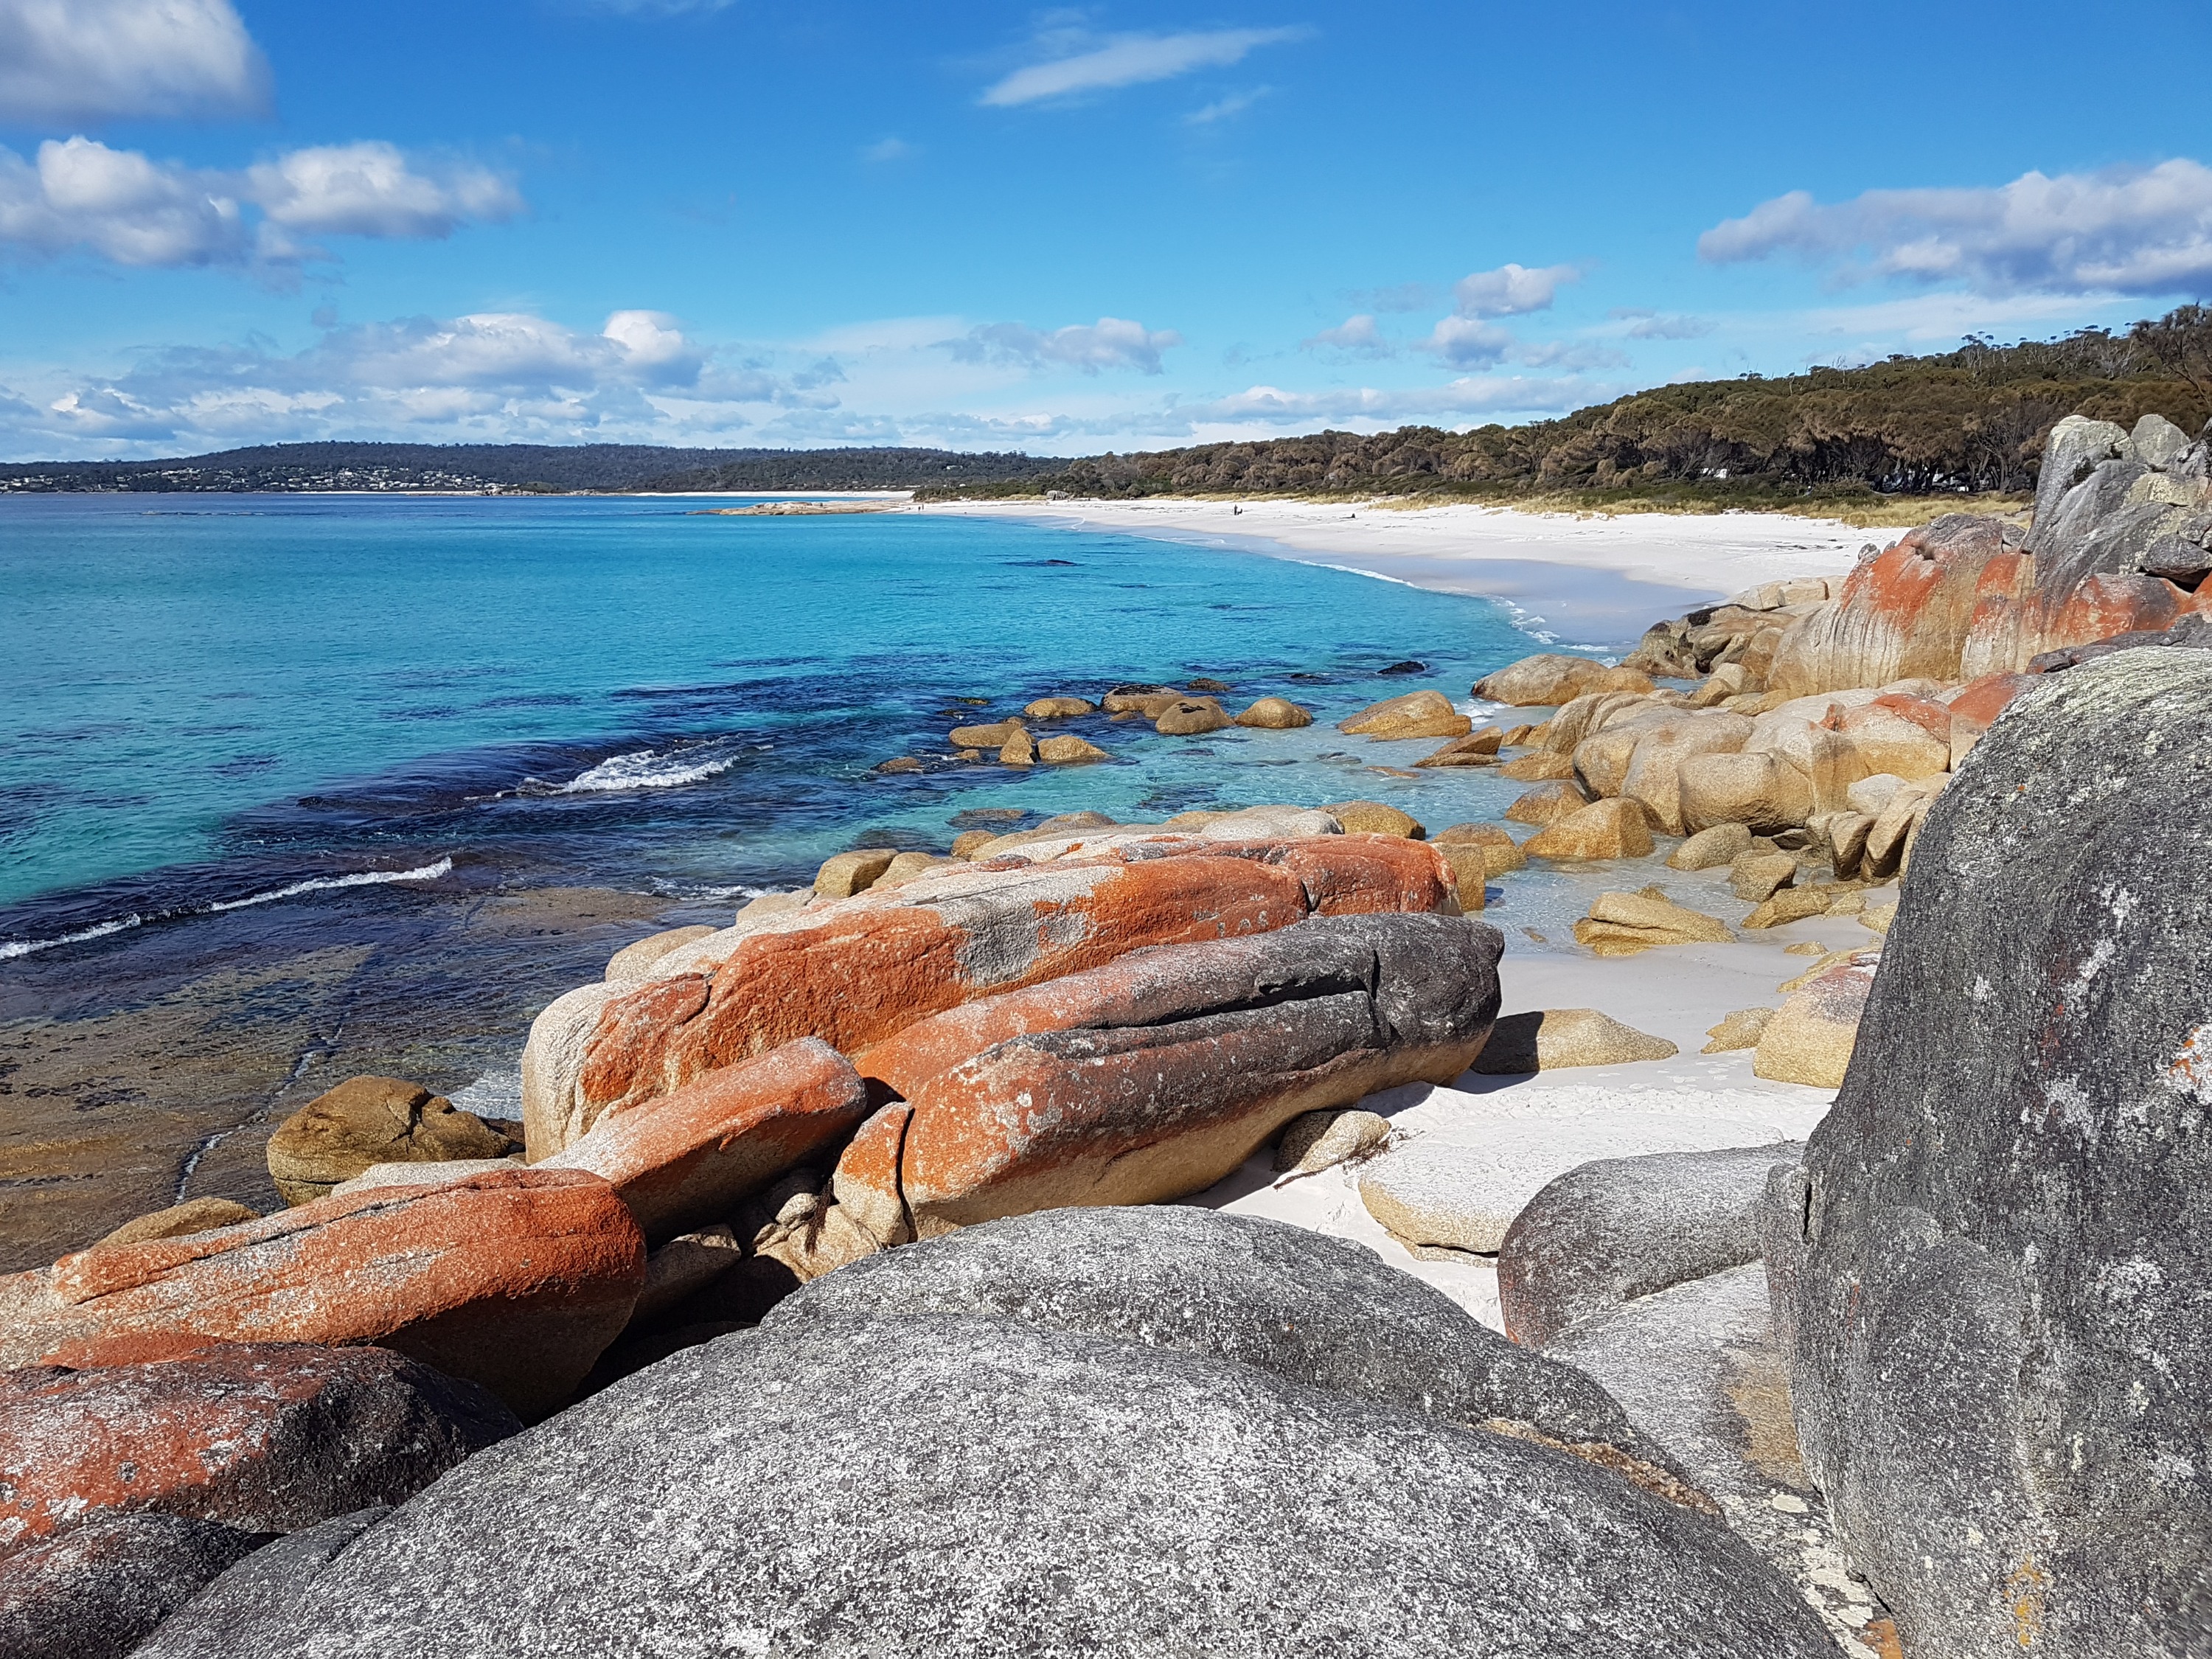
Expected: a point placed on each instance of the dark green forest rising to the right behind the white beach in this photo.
(1961, 421)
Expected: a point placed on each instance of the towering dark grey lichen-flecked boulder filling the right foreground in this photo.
(1994, 1269)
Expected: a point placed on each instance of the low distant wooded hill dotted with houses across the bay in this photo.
(521, 468)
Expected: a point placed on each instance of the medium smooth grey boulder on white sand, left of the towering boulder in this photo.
(1629, 1227)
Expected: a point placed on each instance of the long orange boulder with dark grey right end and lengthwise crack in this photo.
(1165, 1072)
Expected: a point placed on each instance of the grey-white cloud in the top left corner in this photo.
(87, 61)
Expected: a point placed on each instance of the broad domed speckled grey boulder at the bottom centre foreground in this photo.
(954, 1490)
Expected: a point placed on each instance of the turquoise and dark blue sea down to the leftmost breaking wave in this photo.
(216, 700)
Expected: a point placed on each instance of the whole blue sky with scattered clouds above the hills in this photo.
(988, 227)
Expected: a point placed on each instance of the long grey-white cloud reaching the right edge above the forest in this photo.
(2125, 231)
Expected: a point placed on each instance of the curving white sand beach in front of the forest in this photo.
(1569, 581)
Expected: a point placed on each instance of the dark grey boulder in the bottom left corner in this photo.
(98, 1589)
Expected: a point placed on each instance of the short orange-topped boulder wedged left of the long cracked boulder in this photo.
(689, 1158)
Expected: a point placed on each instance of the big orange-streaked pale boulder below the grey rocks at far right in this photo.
(1903, 614)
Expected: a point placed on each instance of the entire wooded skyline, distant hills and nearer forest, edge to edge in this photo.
(1910, 426)
